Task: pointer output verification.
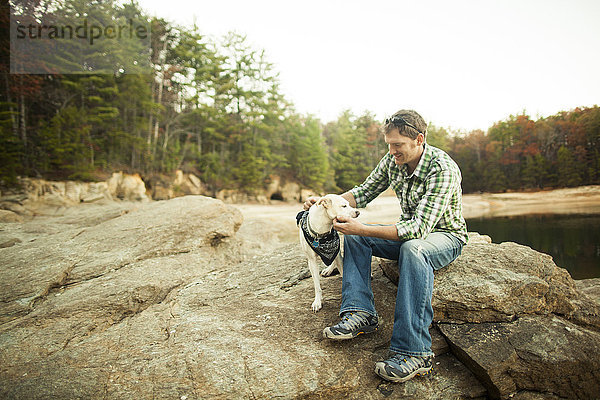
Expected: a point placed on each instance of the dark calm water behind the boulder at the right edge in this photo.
(572, 240)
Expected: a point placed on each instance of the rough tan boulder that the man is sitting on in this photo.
(500, 282)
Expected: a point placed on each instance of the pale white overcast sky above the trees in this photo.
(461, 64)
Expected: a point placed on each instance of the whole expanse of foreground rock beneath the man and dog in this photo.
(186, 299)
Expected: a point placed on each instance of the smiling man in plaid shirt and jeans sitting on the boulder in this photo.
(429, 235)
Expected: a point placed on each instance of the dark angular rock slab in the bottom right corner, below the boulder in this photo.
(544, 354)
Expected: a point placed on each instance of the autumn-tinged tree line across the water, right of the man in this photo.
(561, 150)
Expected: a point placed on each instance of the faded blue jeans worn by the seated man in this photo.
(417, 258)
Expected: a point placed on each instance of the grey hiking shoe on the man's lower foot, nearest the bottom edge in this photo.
(400, 368)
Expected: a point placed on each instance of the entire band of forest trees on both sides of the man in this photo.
(214, 107)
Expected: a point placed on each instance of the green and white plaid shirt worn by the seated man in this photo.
(430, 198)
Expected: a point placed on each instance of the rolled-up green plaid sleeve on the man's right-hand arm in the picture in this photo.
(439, 188)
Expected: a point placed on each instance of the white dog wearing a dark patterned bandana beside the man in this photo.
(318, 239)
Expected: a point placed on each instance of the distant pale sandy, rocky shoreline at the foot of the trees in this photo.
(39, 196)
